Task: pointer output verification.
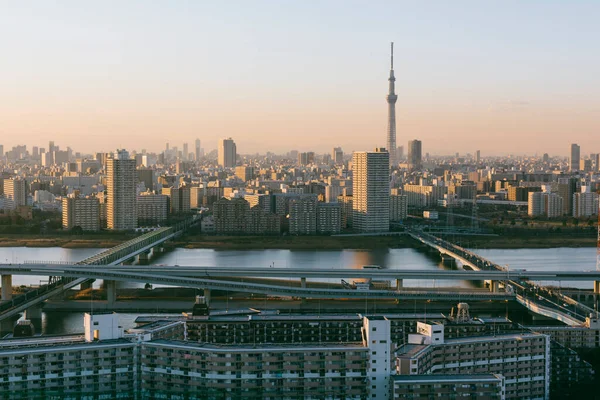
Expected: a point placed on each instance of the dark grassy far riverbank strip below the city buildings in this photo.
(533, 240)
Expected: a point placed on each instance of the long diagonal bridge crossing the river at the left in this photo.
(30, 301)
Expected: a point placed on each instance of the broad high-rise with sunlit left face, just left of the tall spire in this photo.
(371, 191)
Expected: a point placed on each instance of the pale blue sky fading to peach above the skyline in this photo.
(504, 77)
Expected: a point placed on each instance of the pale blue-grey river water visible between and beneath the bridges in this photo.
(575, 259)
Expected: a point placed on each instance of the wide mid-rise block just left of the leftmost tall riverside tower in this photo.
(82, 212)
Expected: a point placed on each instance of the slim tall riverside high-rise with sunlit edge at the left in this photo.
(121, 210)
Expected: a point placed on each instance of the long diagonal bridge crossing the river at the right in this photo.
(539, 299)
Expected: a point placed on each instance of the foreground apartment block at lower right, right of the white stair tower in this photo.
(523, 359)
